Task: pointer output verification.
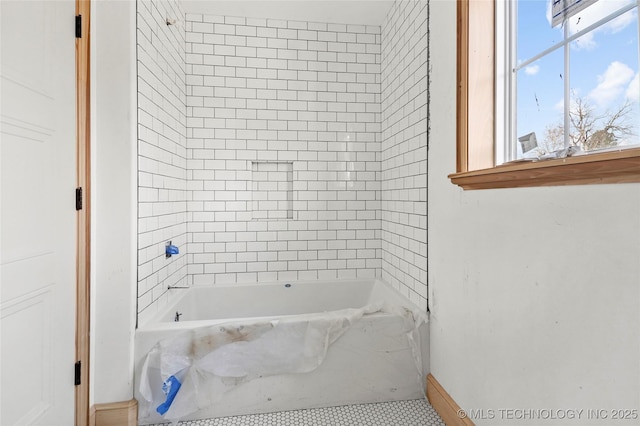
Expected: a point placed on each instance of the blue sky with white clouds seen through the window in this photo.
(604, 66)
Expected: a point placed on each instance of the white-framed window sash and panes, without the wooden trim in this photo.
(570, 82)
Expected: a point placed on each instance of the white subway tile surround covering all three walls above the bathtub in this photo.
(304, 153)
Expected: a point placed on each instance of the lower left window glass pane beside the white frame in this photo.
(539, 105)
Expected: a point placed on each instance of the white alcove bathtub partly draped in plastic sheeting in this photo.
(378, 358)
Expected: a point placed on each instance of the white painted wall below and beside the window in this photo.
(534, 293)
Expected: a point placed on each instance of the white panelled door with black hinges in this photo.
(37, 212)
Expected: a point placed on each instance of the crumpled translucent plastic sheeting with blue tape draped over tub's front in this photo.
(188, 372)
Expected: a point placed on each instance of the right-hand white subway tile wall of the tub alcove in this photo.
(404, 78)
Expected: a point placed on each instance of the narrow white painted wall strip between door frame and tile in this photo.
(114, 209)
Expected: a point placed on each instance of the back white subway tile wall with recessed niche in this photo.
(302, 97)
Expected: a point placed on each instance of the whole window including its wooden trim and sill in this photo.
(498, 123)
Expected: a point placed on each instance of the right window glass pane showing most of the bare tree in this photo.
(604, 84)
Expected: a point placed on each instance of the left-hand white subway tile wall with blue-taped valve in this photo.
(162, 145)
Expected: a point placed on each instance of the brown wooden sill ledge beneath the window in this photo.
(609, 167)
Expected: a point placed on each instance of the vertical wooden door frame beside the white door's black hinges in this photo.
(83, 173)
